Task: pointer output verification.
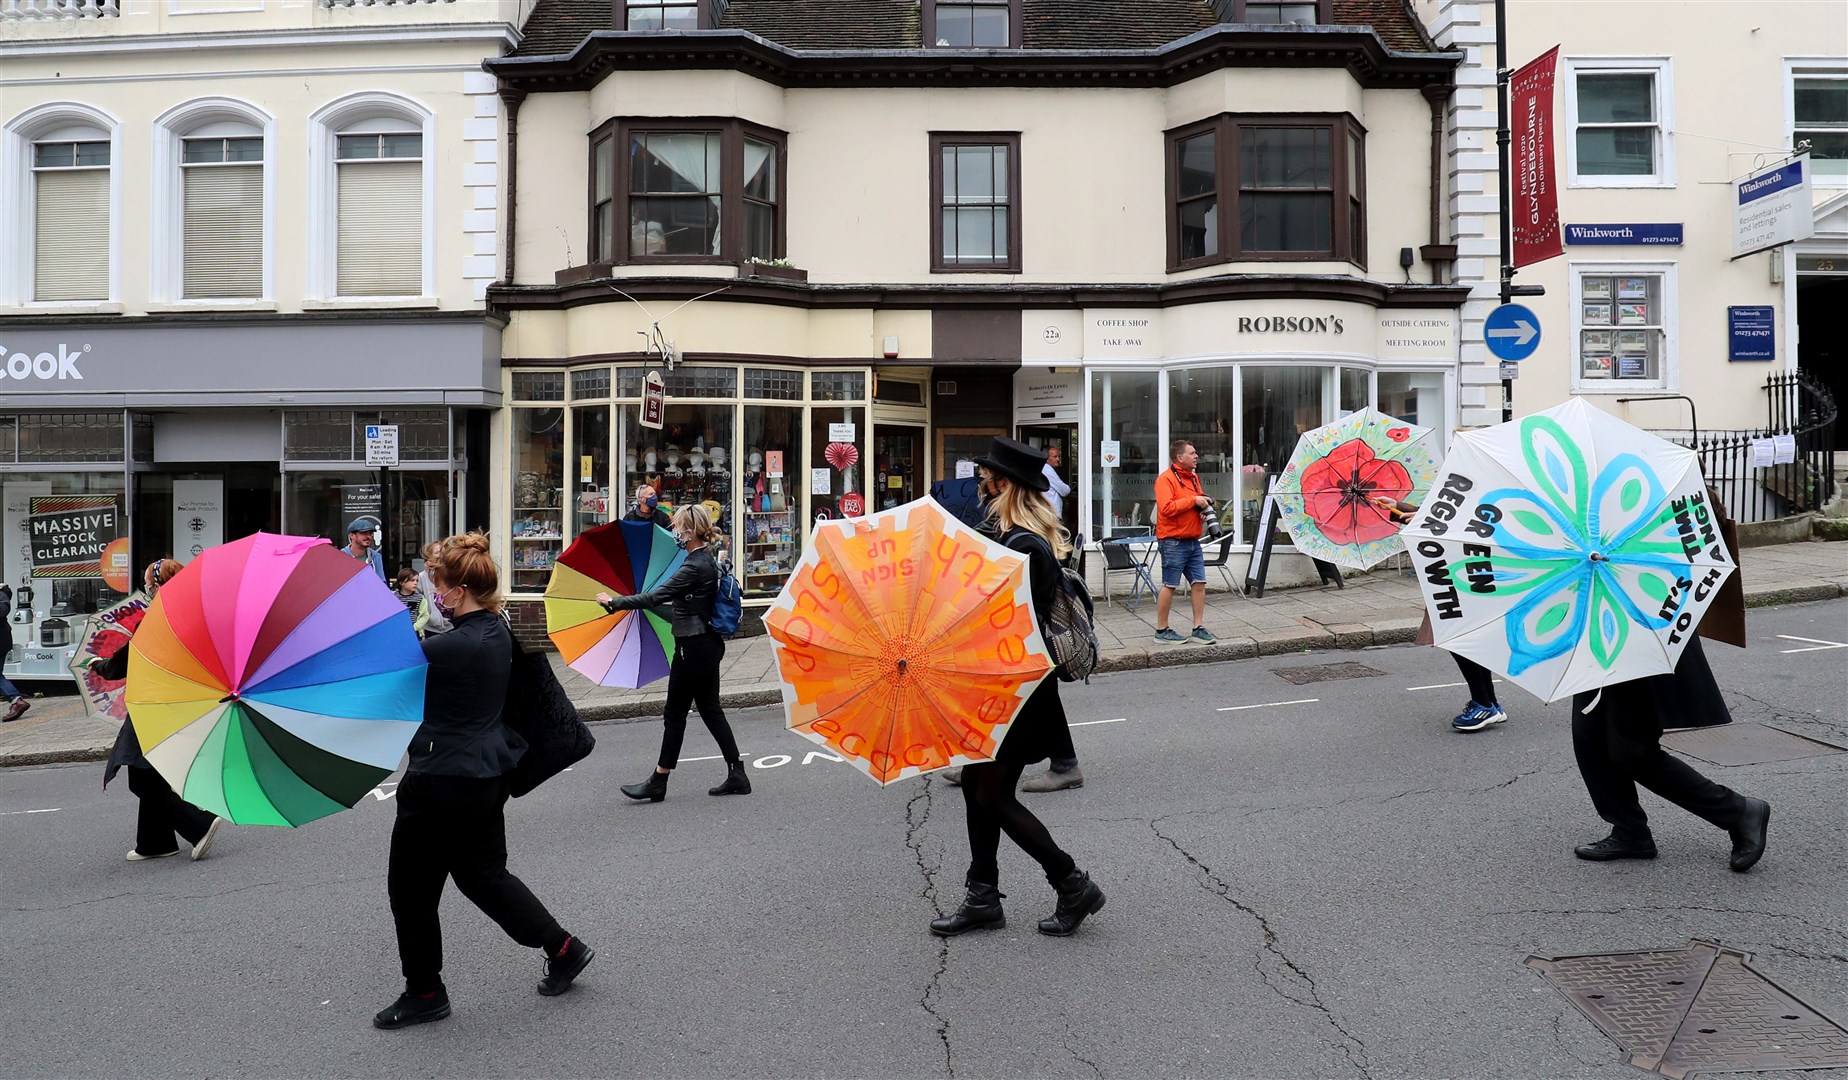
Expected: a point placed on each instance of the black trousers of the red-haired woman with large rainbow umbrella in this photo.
(456, 828)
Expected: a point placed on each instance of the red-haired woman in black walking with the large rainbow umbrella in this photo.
(452, 800)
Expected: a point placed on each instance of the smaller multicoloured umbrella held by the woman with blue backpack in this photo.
(622, 559)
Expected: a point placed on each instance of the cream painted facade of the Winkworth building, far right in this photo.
(1723, 77)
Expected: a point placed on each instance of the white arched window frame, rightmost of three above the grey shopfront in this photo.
(324, 195)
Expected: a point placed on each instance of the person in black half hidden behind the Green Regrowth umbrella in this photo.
(1618, 742)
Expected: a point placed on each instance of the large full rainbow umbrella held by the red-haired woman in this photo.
(274, 681)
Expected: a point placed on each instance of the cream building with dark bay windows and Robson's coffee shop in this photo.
(860, 249)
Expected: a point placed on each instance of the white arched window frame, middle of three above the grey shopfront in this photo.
(167, 221)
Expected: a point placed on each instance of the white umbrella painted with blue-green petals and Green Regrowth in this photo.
(1568, 550)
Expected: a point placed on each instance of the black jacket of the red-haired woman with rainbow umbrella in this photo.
(463, 698)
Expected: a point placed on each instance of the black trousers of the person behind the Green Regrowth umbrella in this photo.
(1620, 746)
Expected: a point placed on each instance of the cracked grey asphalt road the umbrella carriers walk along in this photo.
(1304, 881)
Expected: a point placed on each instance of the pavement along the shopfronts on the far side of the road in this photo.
(1380, 607)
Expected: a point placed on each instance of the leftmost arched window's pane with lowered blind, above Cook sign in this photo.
(71, 221)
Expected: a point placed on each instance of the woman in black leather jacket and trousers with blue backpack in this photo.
(694, 678)
